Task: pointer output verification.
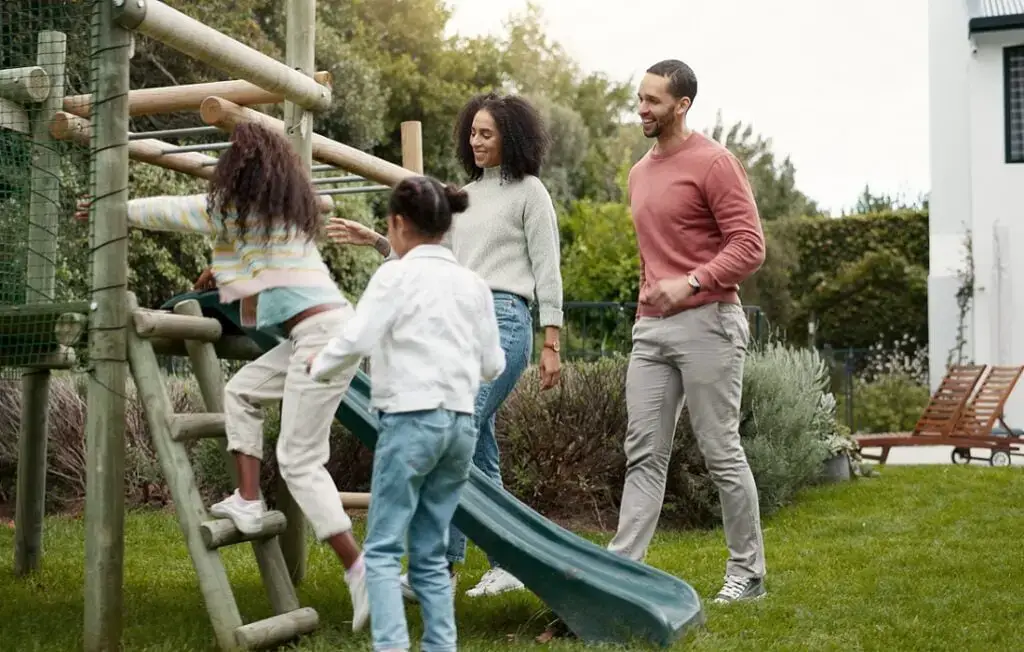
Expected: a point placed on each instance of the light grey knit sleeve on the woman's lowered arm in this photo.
(541, 227)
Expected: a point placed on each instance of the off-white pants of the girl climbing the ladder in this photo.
(308, 410)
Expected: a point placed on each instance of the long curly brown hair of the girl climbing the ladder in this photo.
(262, 179)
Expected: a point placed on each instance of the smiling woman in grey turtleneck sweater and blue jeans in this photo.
(509, 237)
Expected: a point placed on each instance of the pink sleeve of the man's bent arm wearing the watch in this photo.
(732, 203)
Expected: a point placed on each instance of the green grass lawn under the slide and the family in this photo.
(918, 559)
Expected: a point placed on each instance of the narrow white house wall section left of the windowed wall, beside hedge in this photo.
(950, 203)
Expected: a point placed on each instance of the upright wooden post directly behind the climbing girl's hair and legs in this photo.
(300, 54)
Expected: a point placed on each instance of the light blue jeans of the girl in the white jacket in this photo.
(421, 464)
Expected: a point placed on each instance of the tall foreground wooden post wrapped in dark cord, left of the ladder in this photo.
(108, 340)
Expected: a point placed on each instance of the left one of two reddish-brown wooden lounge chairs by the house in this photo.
(941, 417)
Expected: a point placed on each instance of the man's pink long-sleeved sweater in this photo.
(695, 213)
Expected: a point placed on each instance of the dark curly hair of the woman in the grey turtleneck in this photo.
(524, 136)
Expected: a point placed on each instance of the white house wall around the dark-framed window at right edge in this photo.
(997, 209)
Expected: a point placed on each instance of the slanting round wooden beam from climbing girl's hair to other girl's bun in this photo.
(226, 115)
